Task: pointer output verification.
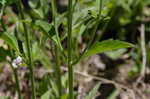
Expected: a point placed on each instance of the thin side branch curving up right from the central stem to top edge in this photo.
(93, 34)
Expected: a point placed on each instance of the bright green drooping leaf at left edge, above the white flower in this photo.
(10, 40)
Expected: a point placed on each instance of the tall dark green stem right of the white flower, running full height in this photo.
(28, 45)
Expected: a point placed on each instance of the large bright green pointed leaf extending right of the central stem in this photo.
(104, 46)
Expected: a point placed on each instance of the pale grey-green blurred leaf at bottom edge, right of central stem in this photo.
(93, 92)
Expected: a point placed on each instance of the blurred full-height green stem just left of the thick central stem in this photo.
(56, 49)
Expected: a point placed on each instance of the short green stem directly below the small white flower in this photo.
(17, 83)
